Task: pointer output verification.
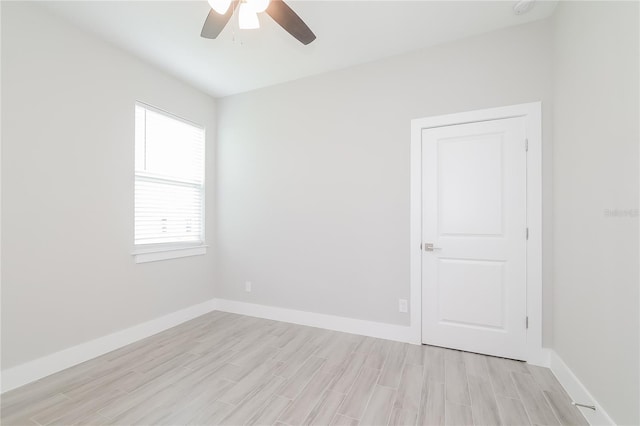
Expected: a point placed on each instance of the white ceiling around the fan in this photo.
(167, 34)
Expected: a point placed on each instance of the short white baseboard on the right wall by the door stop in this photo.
(578, 392)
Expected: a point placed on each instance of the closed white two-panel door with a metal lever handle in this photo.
(474, 237)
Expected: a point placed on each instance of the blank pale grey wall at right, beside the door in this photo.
(596, 168)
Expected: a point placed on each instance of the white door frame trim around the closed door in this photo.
(532, 113)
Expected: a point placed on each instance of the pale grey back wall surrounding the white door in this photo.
(313, 175)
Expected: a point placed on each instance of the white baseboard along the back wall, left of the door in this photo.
(331, 322)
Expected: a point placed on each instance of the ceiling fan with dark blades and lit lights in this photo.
(222, 10)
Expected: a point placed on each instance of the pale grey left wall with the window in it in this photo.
(67, 189)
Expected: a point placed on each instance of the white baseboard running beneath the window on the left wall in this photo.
(33, 370)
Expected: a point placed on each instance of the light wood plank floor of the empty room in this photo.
(230, 369)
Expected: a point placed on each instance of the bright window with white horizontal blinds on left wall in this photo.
(169, 186)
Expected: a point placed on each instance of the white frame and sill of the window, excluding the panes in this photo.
(152, 252)
